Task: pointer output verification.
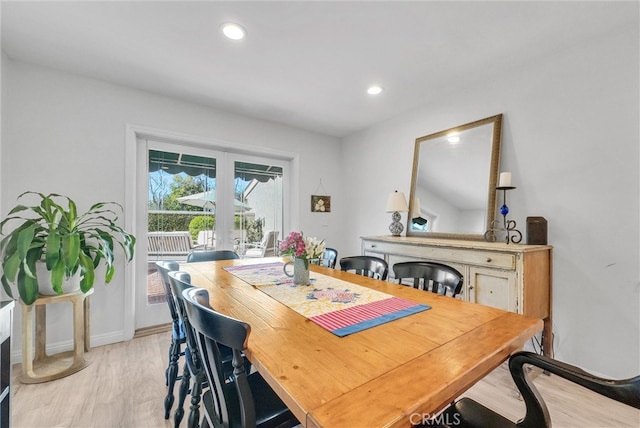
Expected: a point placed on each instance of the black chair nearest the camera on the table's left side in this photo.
(246, 401)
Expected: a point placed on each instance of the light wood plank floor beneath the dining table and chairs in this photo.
(124, 387)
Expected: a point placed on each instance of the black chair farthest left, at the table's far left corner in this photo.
(178, 338)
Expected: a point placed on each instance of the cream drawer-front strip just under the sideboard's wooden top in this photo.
(493, 259)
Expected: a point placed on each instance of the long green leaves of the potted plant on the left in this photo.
(67, 243)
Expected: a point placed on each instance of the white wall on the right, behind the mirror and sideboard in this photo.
(571, 140)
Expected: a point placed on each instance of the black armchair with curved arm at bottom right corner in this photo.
(467, 413)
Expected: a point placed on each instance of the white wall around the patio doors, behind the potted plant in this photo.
(66, 134)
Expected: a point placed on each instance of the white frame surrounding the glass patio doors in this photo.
(133, 205)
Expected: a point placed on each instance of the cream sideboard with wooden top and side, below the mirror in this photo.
(513, 277)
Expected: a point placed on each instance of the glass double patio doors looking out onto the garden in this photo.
(202, 199)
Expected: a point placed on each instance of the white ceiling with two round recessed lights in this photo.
(303, 64)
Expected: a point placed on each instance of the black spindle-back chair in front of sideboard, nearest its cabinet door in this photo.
(429, 276)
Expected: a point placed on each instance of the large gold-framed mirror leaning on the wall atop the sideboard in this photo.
(455, 173)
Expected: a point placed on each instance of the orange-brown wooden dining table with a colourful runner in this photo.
(391, 375)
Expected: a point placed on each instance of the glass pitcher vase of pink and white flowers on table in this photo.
(302, 250)
